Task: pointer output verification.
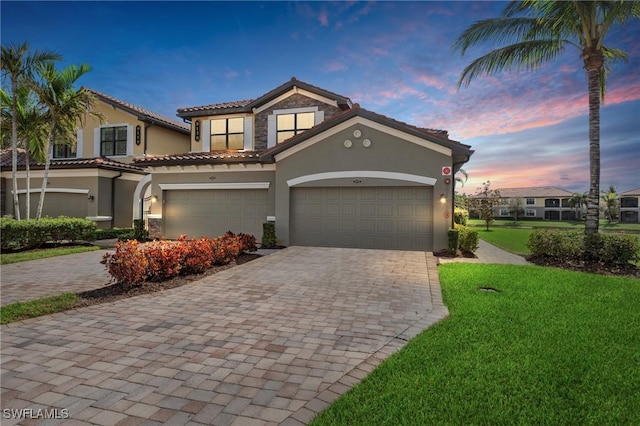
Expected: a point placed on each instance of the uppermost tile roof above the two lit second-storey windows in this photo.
(248, 104)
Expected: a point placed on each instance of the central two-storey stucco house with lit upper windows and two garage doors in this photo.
(328, 172)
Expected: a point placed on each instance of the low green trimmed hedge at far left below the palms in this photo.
(31, 233)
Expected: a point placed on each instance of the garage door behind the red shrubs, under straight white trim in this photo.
(213, 212)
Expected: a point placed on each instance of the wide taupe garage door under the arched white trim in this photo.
(398, 218)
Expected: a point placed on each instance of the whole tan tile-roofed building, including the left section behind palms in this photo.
(325, 170)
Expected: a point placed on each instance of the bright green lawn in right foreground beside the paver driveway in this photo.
(551, 347)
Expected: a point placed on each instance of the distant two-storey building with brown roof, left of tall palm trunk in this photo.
(546, 202)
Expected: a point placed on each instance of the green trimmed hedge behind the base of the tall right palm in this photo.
(610, 249)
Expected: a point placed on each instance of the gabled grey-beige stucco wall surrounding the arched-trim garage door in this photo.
(387, 153)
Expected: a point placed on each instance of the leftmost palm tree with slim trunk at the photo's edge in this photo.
(17, 63)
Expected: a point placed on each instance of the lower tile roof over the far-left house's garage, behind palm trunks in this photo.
(67, 163)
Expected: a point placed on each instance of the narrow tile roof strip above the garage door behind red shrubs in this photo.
(199, 158)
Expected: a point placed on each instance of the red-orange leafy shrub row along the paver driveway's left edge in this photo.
(159, 260)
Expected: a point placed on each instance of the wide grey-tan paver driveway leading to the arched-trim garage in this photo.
(272, 341)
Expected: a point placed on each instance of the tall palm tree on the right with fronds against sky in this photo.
(536, 32)
